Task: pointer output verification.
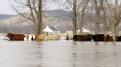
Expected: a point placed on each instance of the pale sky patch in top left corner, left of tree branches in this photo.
(5, 7)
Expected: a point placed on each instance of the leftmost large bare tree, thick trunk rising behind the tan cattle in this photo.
(31, 10)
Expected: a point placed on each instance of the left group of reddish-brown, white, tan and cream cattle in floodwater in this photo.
(32, 37)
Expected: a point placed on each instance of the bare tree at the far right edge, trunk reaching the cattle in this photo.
(115, 12)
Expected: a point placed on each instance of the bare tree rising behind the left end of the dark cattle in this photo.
(77, 8)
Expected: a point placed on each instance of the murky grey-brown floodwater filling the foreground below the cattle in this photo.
(59, 54)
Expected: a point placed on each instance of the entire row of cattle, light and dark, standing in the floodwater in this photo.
(87, 37)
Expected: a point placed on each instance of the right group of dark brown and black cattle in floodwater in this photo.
(97, 37)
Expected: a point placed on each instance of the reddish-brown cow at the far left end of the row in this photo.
(16, 37)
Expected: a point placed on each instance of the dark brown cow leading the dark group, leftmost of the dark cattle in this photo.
(82, 37)
